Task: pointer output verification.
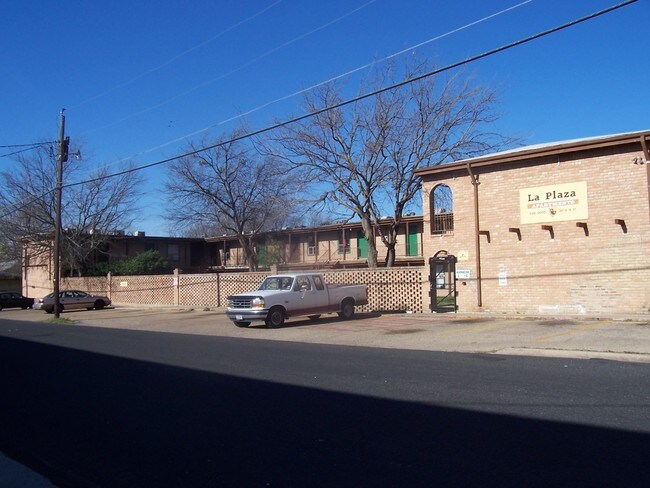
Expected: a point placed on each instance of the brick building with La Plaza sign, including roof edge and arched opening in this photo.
(560, 228)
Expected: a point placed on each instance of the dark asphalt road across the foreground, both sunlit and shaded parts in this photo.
(93, 406)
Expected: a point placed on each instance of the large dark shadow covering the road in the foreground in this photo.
(86, 419)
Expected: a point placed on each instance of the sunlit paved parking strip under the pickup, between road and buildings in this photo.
(619, 339)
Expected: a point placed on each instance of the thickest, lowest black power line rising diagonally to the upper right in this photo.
(344, 102)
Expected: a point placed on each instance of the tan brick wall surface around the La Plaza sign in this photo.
(607, 271)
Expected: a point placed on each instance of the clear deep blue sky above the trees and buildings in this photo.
(140, 79)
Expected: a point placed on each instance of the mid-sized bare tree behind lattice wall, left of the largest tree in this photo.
(231, 187)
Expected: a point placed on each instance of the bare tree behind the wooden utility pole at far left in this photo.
(93, 206)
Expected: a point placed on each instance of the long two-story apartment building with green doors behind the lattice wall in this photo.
(330, 246)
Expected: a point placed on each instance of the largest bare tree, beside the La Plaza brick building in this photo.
(366, 153)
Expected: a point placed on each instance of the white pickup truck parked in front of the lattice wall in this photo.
(282, 296)
